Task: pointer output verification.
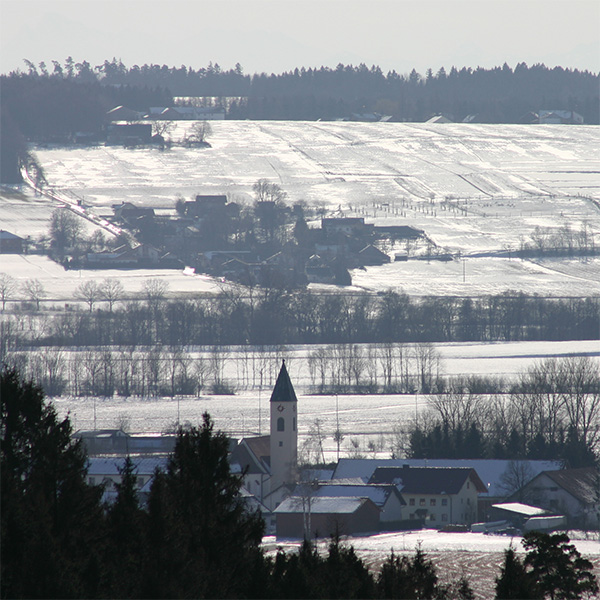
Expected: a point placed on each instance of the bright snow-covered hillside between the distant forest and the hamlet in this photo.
(472, 188)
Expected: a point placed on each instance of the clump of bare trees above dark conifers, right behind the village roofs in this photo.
(552, 412)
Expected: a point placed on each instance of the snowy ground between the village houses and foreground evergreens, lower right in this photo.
(475, 555)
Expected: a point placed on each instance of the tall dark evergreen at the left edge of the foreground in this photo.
(51, 519)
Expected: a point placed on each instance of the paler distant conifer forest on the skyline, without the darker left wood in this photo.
(496, 95)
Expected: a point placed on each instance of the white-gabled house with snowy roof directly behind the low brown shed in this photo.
(385, 496)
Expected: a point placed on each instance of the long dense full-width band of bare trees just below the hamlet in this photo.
(258, 316)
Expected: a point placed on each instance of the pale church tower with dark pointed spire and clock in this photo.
(284, 430)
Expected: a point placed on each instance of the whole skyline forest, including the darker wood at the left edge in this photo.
(54, 102)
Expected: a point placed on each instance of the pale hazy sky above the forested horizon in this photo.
(276, 35)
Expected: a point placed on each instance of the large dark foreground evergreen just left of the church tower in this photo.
(203, 541)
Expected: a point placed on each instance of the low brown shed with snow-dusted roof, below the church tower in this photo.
(298, 517)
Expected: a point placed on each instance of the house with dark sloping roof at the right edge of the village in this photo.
(572, 492)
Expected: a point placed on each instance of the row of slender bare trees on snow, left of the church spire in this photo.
(147, 371)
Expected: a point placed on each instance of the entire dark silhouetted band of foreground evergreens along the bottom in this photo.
(194, 536)
